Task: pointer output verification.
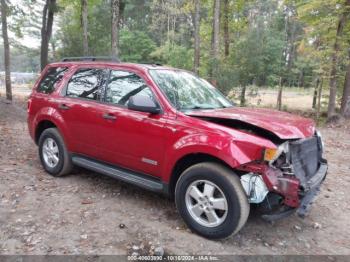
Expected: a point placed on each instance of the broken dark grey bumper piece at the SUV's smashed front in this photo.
(312, 189)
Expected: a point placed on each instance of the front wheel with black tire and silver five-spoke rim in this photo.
(227, 187)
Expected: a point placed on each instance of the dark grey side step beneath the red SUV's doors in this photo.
(125, 175)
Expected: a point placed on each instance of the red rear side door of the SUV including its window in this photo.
(81, 111)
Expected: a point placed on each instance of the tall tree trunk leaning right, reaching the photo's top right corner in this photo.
(335, 58)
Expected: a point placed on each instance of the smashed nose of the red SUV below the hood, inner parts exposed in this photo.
(287, 179)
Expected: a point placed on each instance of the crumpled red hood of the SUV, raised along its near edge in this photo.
(282, 124)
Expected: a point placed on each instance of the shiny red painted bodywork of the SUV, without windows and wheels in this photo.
(166, 137)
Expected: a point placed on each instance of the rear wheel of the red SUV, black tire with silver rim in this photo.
(64, 165)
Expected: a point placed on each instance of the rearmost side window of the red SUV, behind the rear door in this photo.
(53, 76)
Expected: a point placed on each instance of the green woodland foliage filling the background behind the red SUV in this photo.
(269, 40)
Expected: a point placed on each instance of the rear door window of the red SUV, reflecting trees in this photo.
(87, 83)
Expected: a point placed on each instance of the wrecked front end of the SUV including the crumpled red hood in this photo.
(288, 175)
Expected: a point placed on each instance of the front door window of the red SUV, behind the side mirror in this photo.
(122, 85)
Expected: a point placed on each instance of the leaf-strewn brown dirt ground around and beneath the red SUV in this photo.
(87, 213)
